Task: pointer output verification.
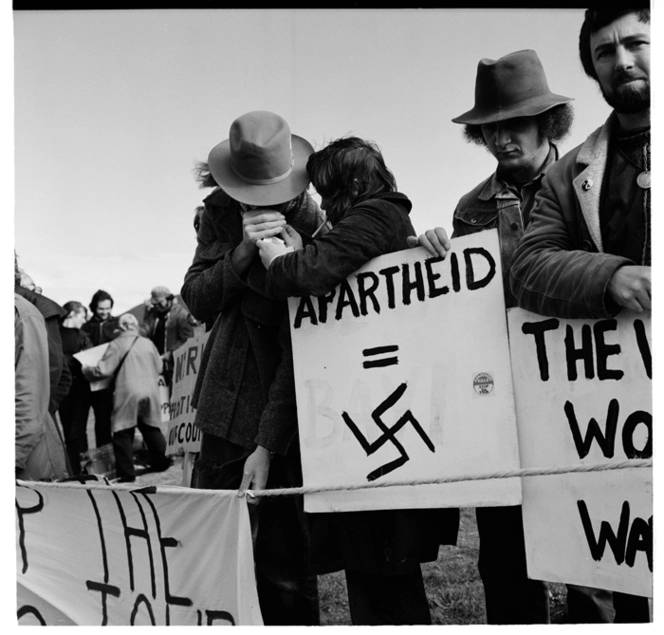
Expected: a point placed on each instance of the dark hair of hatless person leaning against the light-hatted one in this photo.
(348, 171)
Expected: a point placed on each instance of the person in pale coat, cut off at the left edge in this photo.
(38, 451)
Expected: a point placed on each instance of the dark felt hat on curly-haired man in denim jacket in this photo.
(513, 86)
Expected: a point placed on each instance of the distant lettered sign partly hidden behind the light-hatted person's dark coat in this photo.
(182, 435)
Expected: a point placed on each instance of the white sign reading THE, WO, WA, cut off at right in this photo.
(583, 395)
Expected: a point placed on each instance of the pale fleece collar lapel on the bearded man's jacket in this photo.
(593, 154)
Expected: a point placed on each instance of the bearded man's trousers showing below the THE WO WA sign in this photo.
(588, 605)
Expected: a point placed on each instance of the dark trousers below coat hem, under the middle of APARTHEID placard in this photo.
(375, 599)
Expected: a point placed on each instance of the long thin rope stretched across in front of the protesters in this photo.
(296, 491)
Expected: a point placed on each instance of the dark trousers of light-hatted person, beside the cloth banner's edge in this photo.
(287, 591)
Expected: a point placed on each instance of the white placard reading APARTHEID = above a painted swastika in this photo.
(402, 372)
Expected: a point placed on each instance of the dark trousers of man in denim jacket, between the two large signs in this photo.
(511, 598)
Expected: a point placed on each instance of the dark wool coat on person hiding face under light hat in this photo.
(245, 391)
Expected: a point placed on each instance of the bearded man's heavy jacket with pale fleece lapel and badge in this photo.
(560, 268)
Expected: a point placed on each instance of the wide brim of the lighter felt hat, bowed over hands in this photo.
(269, 194)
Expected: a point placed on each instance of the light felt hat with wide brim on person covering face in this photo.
(261, 163)
